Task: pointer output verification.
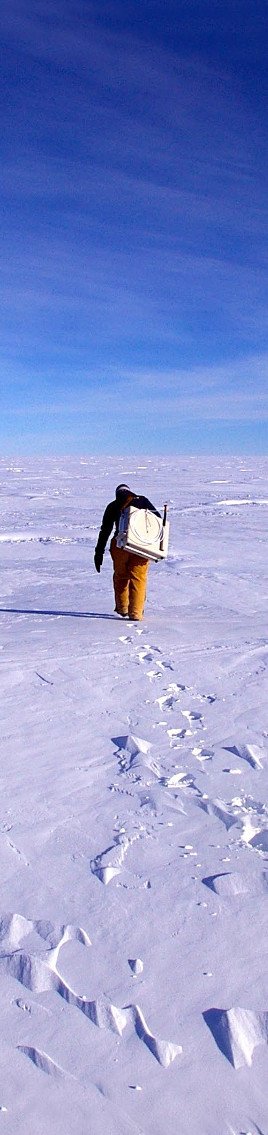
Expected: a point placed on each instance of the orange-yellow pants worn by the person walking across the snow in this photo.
(130, 582)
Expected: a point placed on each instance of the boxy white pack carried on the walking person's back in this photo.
(144, 533)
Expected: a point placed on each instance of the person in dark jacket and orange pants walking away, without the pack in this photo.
(130, 570)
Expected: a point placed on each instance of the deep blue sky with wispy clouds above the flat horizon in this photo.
(135, 226)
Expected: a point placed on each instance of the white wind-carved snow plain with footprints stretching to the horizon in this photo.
(135, 808)
